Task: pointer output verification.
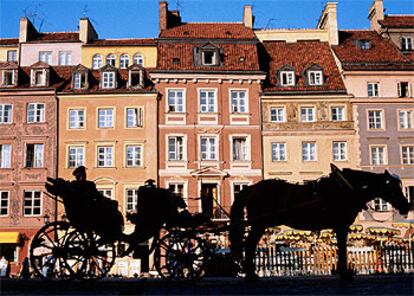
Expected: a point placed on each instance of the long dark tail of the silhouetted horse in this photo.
(237, 223)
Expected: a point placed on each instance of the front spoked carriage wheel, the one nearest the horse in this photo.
(181, 257)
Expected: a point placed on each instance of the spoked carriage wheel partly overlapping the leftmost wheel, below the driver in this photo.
(96, 257)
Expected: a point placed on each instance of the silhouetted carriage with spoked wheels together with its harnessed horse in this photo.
(83, 245)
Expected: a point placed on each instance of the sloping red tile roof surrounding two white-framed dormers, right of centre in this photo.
(300, 56)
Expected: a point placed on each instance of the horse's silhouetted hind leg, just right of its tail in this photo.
(252, 240)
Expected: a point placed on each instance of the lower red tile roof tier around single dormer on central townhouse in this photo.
(235, 57)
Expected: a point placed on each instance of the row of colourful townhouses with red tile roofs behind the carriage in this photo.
(204, 109)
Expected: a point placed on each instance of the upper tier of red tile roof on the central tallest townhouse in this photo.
(209, 31)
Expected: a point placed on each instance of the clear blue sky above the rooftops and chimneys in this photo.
(139, 18)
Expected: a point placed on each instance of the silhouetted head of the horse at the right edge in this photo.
(391, 191)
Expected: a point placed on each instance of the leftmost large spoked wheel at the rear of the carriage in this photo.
(48, 253)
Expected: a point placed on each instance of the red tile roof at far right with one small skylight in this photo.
(382, 54)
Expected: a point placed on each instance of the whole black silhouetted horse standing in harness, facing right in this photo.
(330, 202)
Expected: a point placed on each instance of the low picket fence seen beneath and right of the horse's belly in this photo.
(318, 260)
